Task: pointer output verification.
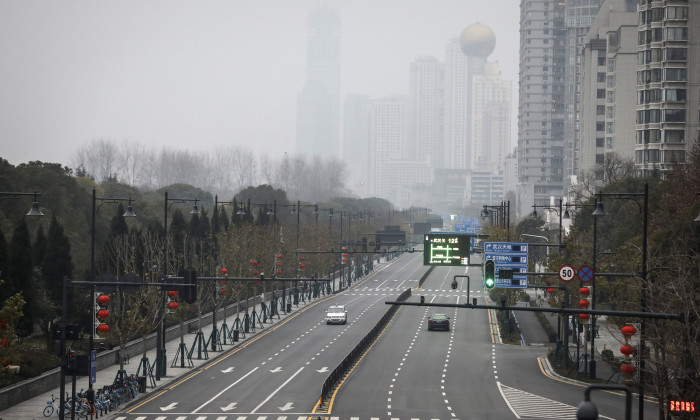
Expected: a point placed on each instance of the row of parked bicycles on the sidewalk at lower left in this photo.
(105, 400)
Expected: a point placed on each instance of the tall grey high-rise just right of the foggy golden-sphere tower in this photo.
(541, 103)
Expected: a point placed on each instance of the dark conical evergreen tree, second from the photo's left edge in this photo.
(57, 261)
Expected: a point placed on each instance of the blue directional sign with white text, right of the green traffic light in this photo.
(508, 255)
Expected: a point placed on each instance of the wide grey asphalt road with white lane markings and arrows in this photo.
(409, 372)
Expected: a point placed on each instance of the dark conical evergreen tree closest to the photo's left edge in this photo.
(19, 273)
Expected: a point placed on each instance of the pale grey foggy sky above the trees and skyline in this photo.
(196, 74)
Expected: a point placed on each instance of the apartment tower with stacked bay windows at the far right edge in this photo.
(668, 83)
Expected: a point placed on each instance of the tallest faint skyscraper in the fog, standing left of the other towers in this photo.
(318, 105)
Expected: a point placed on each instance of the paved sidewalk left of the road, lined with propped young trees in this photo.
(32, 408)
